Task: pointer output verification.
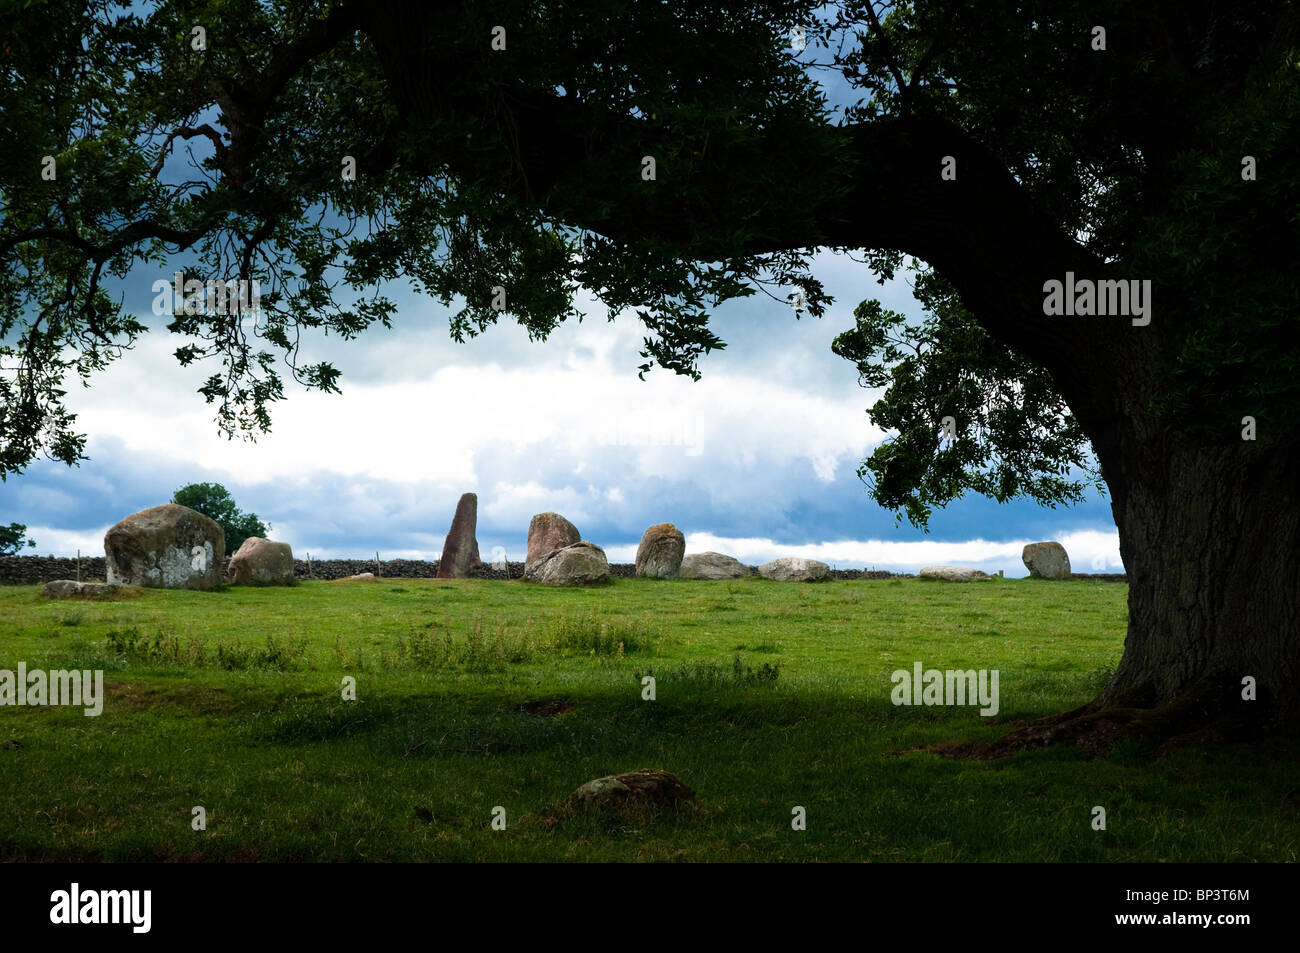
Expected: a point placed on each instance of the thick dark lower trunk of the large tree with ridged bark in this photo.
(1211, 539)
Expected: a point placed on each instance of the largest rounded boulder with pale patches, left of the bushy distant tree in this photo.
(168, 547)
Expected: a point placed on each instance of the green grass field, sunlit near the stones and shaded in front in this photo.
(475, 695)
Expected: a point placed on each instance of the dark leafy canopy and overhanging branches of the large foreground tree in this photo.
(216, 136)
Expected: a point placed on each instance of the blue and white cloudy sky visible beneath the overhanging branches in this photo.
(759, 460)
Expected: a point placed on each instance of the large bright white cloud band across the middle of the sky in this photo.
(575, 401)
